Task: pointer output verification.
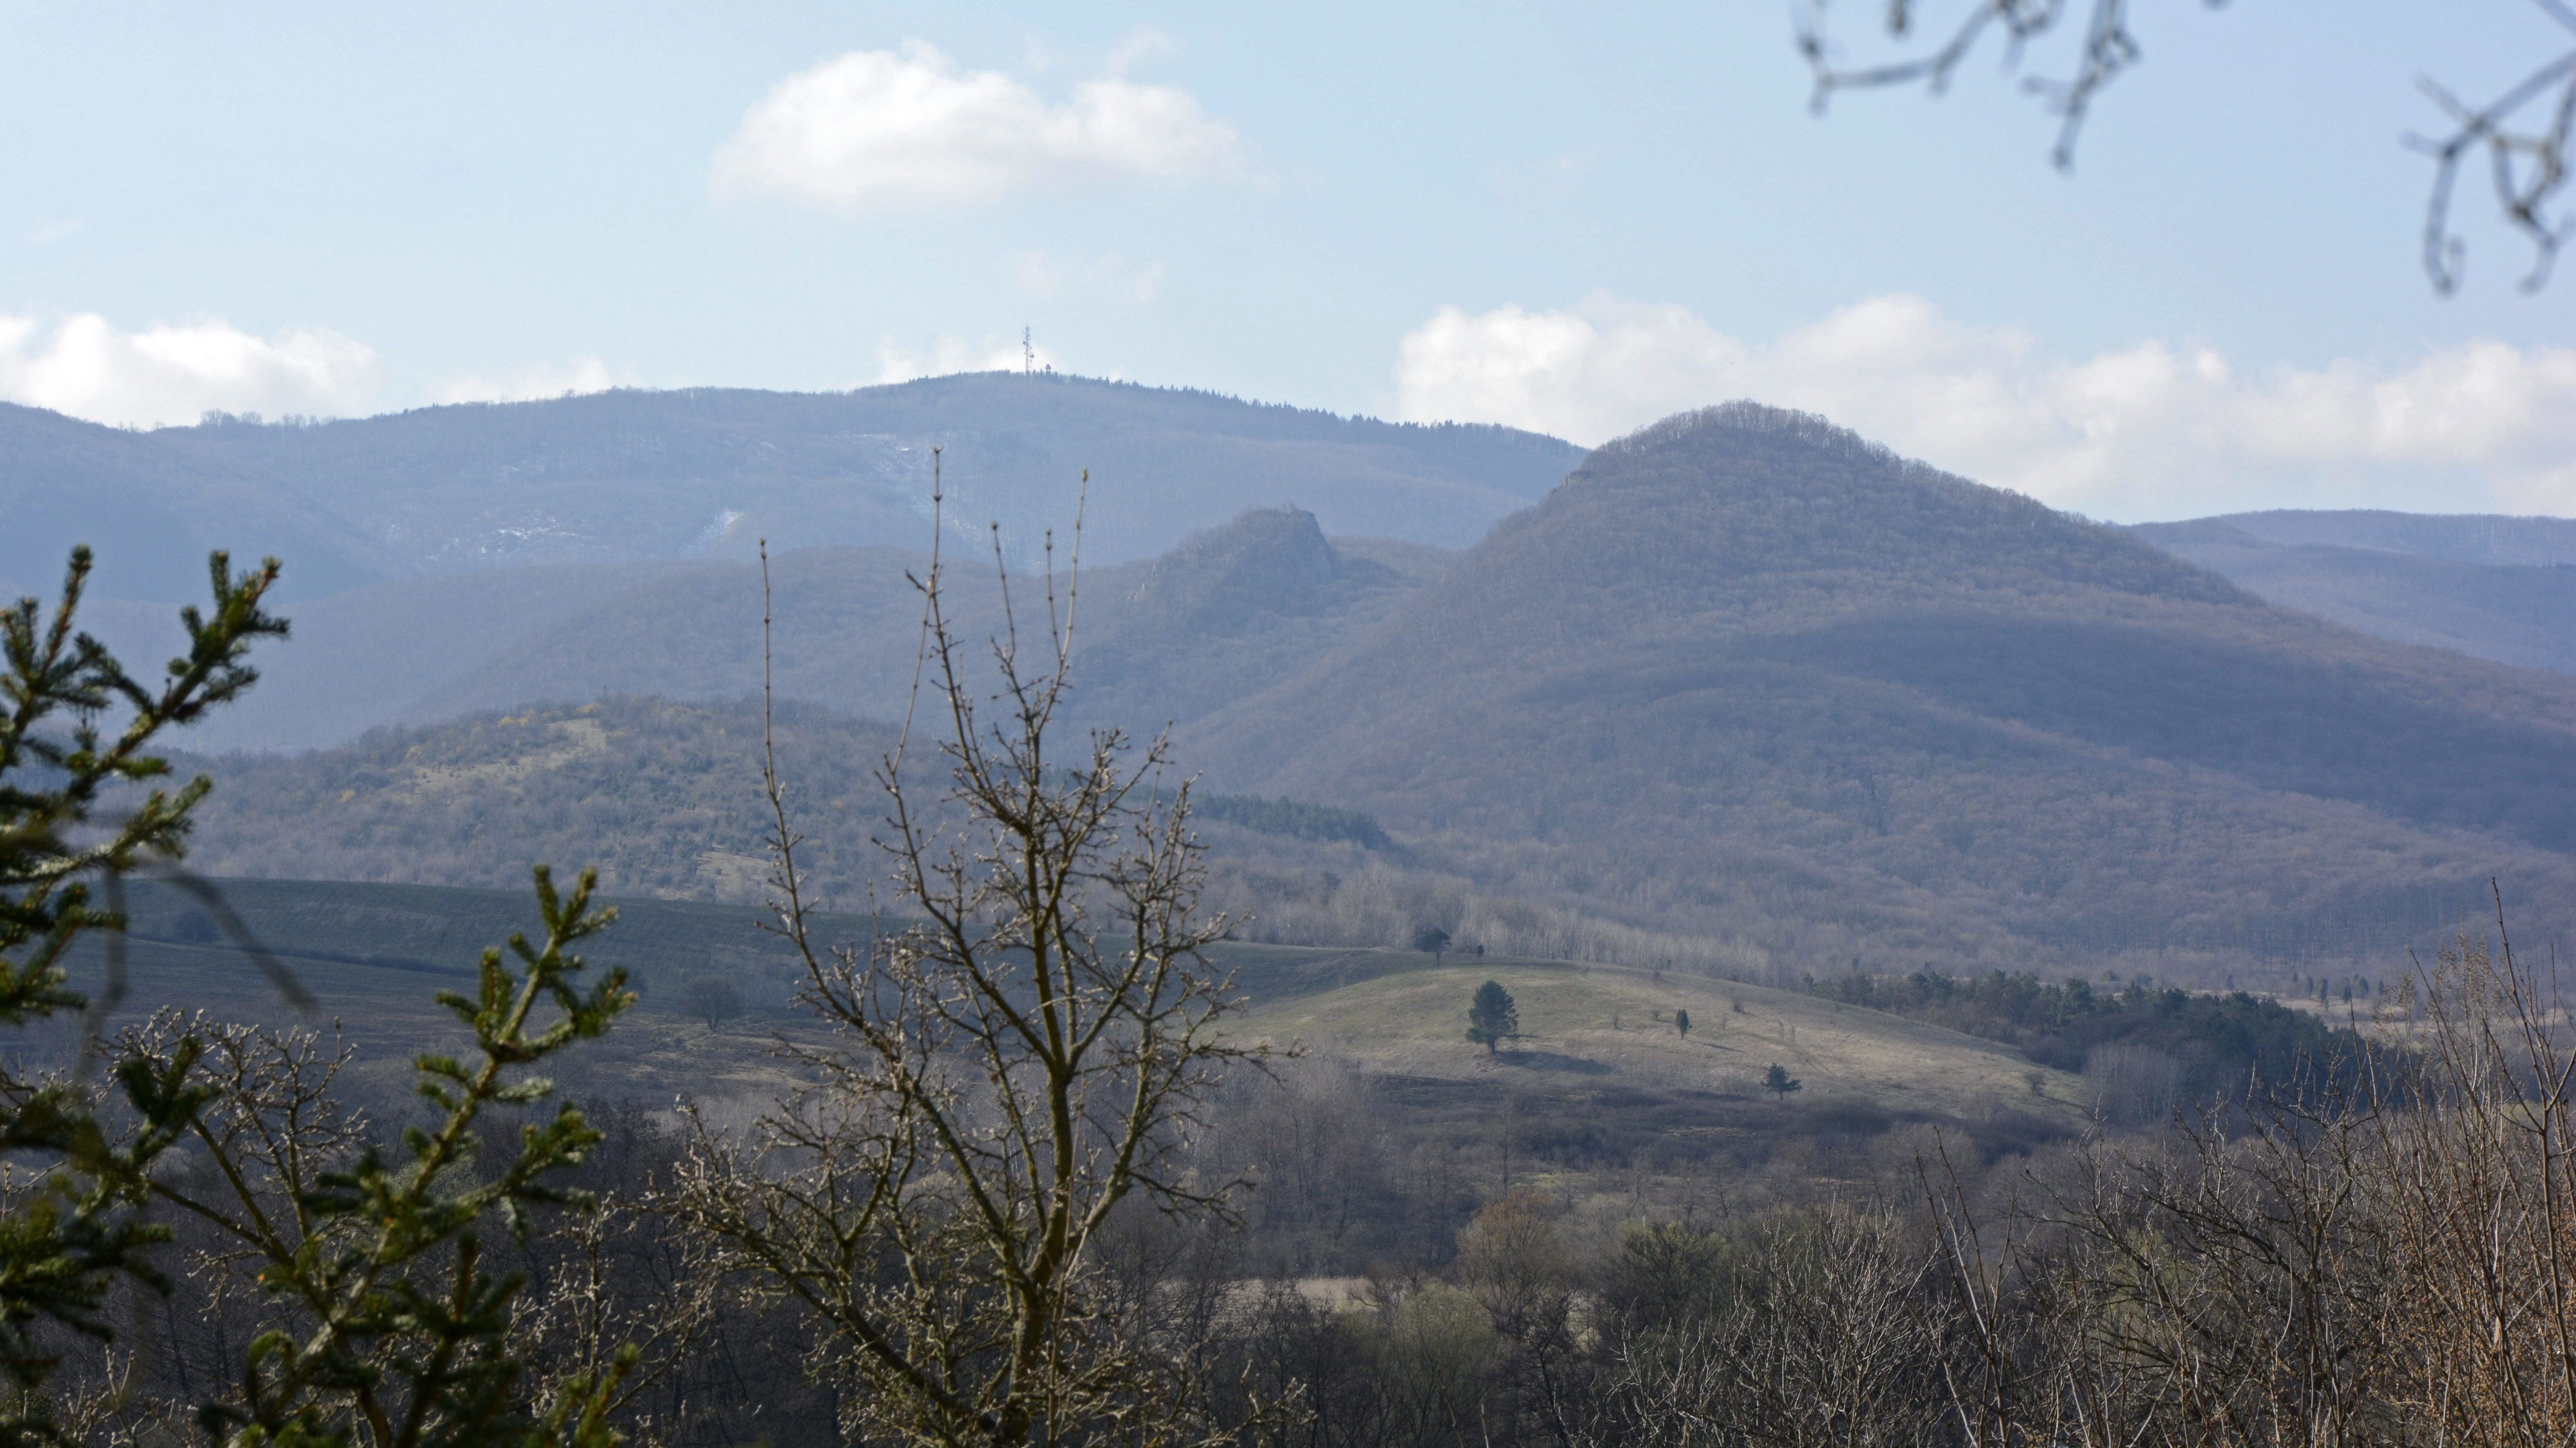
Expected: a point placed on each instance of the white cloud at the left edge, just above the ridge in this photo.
(174, 375)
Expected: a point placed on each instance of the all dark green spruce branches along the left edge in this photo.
(383, 1318)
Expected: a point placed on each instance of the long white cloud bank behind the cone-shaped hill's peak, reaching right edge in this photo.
(2142, 432)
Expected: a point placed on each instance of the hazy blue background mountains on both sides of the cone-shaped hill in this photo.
(473, 558)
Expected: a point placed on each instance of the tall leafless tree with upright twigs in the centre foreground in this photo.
(1009, 1068)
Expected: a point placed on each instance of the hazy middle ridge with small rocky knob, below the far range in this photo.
(1230, 612)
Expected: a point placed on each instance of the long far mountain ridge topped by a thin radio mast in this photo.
(710, 473)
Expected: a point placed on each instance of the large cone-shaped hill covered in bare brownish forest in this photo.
(1748, 674)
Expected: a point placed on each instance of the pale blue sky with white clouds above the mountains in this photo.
(1562, 218)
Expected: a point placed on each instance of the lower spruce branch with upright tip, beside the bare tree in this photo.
(388, 1313)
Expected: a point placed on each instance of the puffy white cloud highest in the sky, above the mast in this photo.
(911, 130)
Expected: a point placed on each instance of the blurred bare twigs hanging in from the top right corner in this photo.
(2521, 135)
